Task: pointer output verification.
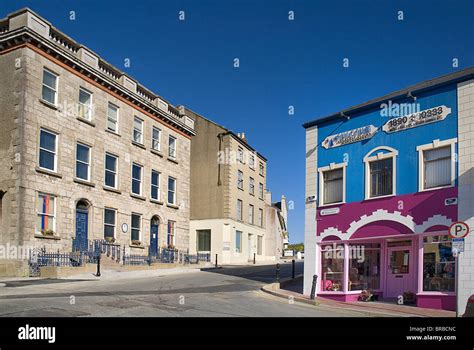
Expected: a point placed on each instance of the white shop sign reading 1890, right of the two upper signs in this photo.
(424, 117)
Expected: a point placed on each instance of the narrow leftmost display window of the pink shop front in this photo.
(332, 258)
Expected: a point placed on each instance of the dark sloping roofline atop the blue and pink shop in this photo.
(459, 76)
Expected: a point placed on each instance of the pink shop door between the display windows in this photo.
(400, 269)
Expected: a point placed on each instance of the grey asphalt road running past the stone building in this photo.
(230, 291)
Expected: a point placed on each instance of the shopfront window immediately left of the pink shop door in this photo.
(364, 266)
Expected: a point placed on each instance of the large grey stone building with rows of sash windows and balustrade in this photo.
(86, 151)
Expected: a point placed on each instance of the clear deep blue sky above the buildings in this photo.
(282, 62)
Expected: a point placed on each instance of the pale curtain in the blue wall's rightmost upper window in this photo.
(437, 167)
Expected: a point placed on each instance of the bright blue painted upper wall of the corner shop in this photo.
(405, 142)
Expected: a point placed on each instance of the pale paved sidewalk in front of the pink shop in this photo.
(293, 288)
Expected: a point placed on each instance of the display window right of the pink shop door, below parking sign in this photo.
(438, 264)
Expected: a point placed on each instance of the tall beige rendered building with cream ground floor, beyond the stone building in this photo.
(228, 181)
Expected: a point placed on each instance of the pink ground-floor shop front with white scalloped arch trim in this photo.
(400, 251)
